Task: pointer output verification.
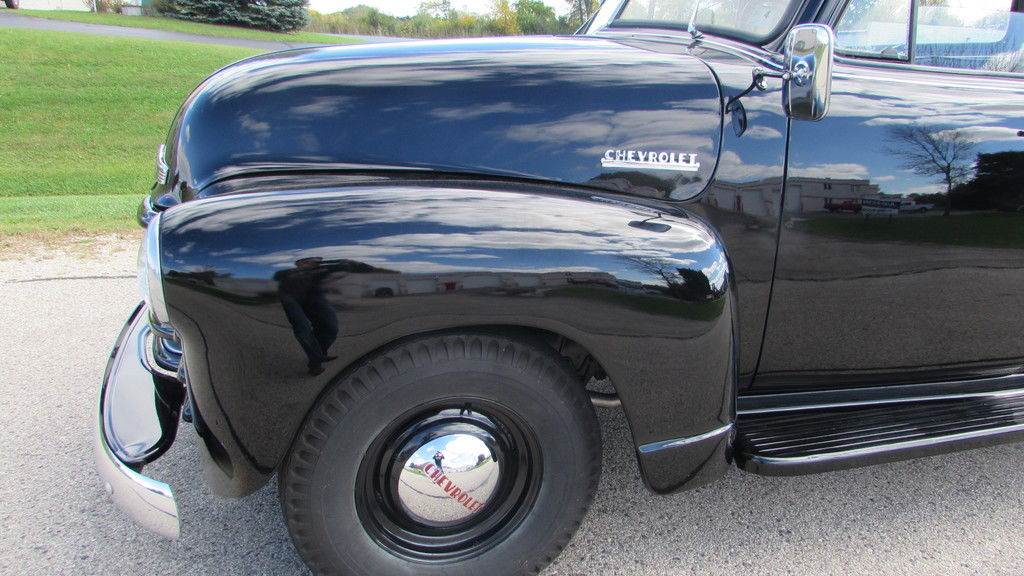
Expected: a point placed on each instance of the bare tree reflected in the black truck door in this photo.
(946, 154)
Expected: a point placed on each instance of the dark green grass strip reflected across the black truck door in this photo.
(997, 230)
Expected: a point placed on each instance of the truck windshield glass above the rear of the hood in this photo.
(754, 21)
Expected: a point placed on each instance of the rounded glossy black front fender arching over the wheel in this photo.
(268, 289)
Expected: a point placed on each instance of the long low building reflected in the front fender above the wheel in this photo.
(386, 284)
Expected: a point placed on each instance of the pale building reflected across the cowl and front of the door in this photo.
(803, 195)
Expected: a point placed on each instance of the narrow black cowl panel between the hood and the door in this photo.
(744, 202)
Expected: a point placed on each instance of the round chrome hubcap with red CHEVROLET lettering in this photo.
(450, 478)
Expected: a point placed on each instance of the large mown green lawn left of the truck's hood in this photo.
(80, 120)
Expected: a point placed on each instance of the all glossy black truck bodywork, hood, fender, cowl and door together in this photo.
(330, 202)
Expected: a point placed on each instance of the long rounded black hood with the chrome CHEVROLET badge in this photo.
(578, 111)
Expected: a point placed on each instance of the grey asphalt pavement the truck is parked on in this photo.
(63, 307)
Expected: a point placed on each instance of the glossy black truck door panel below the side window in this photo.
(919, 298)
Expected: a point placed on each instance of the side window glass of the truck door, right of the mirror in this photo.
(983, 35)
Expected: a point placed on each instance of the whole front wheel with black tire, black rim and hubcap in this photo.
(452, 455)
